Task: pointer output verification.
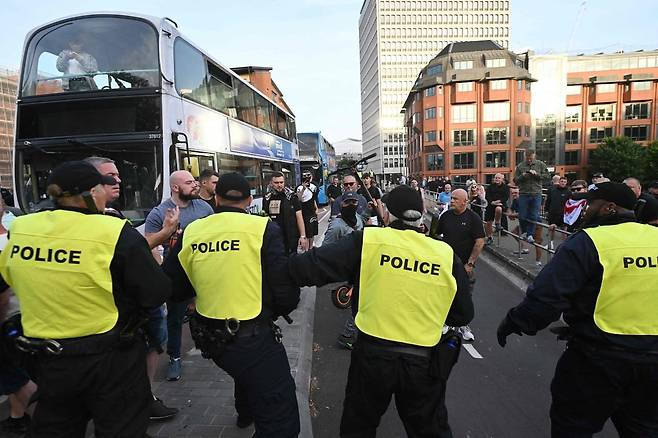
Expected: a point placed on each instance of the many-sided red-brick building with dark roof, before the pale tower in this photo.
(468, 114)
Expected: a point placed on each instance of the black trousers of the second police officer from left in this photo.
(259, 366)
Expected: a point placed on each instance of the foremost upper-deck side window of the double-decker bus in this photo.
(190, 73)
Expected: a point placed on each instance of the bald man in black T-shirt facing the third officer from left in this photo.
(462, 229)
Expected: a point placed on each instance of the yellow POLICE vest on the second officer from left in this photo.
(221, 255)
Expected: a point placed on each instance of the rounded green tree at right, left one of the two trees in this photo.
(618, 158)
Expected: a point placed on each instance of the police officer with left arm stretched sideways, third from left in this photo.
(406, 287)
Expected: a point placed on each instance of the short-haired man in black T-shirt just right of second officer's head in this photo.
(283, 207)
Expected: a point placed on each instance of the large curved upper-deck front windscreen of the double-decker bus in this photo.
(89, 54)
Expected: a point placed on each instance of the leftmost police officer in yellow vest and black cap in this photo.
(81, 278)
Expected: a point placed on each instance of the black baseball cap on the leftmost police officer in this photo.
(76, 177)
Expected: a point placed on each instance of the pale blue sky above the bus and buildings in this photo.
(313, 45)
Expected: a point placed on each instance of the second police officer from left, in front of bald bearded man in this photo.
(236, 265)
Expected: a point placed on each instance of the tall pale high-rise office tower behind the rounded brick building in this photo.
(396, 40)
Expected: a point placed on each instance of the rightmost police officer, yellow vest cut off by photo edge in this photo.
(603, 281)
